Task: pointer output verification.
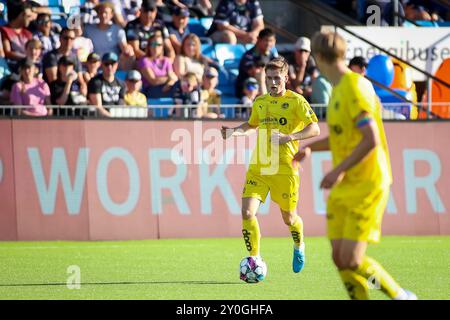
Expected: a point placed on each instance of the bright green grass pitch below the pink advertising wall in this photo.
(207, 269)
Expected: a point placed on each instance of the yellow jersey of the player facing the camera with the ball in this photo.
(289, 113)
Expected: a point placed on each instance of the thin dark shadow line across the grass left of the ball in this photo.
(193, 282)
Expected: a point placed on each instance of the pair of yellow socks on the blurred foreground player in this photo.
(369, 275)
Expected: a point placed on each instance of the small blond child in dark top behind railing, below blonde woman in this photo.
(188, 93)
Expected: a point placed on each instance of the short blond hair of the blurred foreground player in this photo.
(329, 45)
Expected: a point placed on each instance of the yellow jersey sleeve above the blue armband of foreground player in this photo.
(361, 97)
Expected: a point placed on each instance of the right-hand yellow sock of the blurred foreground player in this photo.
(378, 277)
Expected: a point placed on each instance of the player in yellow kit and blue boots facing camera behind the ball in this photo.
(283, 118)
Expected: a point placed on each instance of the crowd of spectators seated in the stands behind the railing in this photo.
(132, 52)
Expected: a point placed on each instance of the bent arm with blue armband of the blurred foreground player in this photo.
(370, 139)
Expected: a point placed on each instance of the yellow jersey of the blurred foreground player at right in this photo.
(351, 96)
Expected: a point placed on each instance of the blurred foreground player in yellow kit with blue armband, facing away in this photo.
(361, 174)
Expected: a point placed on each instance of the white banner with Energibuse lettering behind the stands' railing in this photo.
(424, 48)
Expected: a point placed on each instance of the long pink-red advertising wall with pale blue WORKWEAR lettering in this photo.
(115, 180)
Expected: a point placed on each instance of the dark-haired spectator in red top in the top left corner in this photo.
(15, 34)
